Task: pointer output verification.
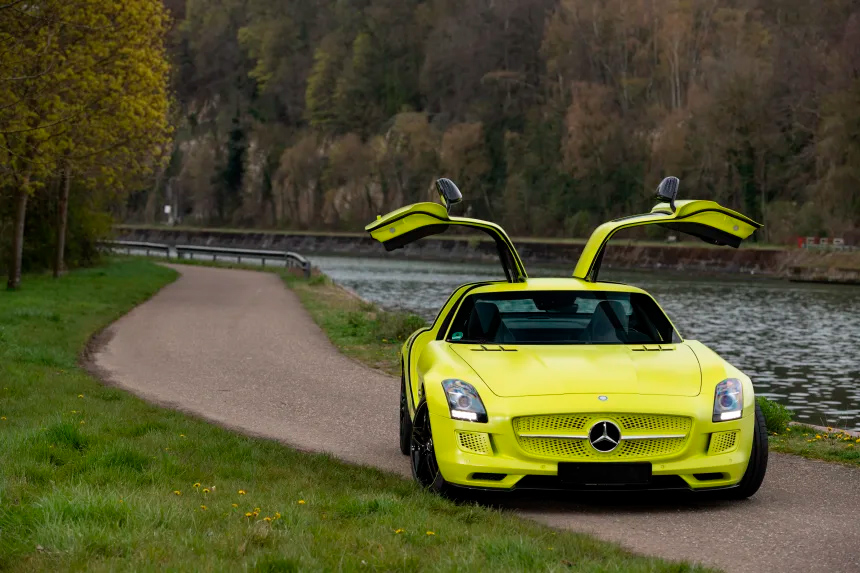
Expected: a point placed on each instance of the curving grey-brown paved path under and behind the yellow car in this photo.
(236, 347)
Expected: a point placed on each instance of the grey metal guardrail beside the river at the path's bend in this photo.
(289, 259)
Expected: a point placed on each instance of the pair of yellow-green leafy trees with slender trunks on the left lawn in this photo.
(87, 82)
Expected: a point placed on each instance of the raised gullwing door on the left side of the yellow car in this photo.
(420, 220)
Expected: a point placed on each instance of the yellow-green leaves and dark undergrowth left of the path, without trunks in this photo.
(84, 86)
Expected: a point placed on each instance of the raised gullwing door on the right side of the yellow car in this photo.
(706, 220)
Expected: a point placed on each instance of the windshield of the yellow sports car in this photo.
(561, 317)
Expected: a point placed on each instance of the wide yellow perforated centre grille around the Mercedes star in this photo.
(572, 429)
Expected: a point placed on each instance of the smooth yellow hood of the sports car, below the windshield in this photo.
(670, 370)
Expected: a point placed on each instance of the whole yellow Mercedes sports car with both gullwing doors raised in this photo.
(572, 383)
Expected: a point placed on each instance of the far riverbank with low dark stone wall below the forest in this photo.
(796, 264)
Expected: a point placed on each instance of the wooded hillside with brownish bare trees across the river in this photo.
(551, 115)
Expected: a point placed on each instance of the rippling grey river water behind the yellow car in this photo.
(799, 343)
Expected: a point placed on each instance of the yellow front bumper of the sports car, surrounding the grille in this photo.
(506, 465)
